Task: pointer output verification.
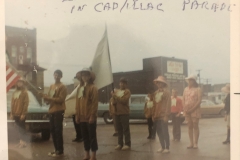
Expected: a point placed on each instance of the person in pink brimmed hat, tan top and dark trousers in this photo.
(161, 112)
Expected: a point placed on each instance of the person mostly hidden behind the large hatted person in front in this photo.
(77, 127)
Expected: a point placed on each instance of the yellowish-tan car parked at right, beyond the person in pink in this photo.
(209, 108)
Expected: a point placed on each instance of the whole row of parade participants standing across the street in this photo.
(159, 106)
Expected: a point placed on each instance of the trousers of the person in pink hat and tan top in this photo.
(162, 131)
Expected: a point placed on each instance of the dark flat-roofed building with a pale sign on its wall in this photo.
(141, 81)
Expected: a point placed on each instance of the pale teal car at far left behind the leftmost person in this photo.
(37, 118)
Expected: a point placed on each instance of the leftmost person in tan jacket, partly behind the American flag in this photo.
(19, 108)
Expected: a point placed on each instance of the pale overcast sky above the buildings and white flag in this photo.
(68, 41)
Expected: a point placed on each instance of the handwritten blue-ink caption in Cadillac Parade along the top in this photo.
(158, 6)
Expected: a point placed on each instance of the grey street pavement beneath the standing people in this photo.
(212, 133)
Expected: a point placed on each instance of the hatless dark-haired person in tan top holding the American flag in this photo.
(56, 98)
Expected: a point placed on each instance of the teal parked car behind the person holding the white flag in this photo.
(136, 104)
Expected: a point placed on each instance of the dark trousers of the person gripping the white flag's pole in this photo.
(122, 123)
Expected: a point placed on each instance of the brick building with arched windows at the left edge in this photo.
(21, 49)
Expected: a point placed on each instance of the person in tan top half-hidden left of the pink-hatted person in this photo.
(148, 114)
